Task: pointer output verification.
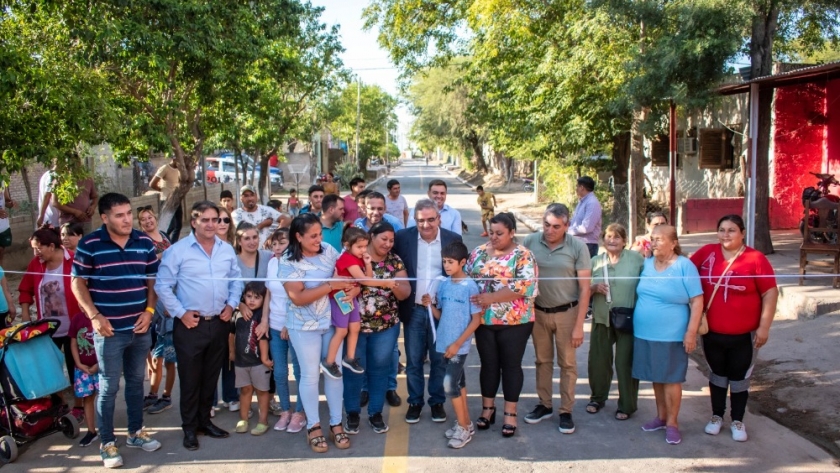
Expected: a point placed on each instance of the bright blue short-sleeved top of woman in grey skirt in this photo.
(662, 308)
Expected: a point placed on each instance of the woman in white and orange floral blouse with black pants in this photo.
(506, 275)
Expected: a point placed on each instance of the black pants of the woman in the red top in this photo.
(730, 359)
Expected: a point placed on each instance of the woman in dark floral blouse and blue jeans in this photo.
(380, 329)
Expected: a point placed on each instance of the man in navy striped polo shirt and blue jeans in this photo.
(113, 280)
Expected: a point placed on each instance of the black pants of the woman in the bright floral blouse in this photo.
(500, 349)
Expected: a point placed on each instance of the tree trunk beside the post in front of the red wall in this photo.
(764, 27)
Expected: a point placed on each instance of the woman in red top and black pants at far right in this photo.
(739, 316)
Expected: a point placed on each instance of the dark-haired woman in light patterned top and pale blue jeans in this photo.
(307, 271)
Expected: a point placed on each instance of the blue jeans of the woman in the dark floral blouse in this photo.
(375, 352)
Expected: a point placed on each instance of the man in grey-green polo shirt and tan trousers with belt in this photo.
(560, 308)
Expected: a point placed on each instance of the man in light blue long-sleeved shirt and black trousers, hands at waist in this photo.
(198, 283)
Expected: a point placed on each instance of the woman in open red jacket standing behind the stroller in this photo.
(47, 284)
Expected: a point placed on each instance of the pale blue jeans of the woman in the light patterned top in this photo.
(311, 347)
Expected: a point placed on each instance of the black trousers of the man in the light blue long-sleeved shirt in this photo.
(200, 352)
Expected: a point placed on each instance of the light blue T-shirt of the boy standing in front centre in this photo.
(456, 309)
